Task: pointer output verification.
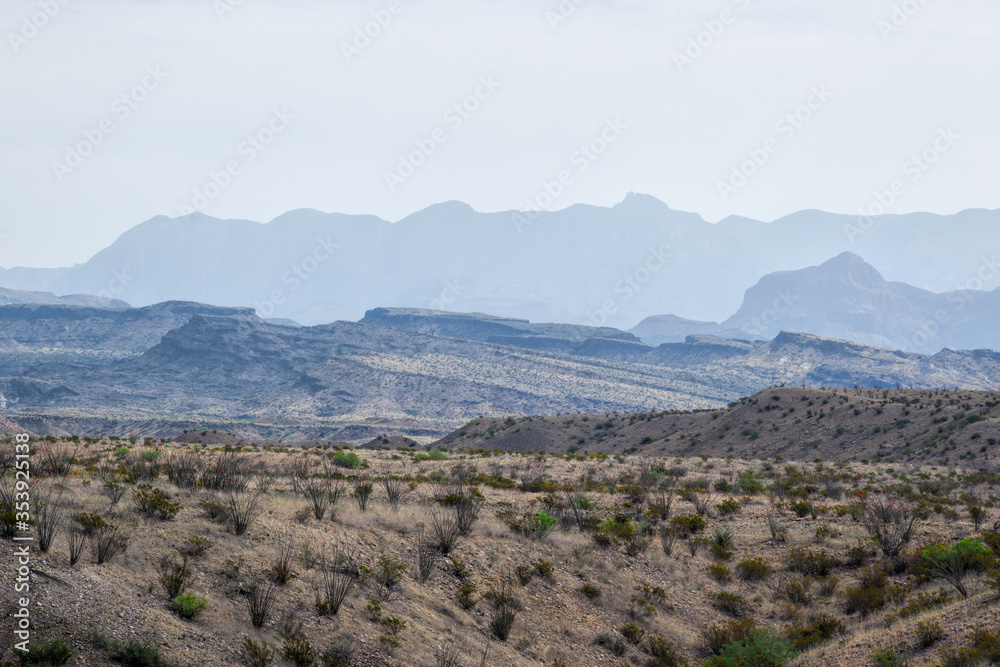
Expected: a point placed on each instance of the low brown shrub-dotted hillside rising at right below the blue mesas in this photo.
(942, 427)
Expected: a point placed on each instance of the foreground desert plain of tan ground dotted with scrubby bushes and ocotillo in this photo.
(255, 557)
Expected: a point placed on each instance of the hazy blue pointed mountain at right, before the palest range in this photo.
(846, 298)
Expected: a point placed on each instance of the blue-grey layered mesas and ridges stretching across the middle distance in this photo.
(176, 365)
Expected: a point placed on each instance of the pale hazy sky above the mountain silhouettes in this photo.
(306, 111)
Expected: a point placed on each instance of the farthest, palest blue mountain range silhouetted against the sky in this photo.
(583, 265)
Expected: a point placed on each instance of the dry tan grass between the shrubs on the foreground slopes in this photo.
(557, 621)
